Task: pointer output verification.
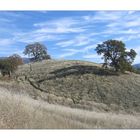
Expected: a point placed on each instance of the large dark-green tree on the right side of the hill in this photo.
(115, 55)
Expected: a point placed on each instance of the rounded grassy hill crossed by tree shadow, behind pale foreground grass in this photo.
(81, 84)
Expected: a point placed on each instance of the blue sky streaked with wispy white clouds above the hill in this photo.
(70, 35)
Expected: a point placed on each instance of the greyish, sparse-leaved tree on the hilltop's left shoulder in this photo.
(36, 52)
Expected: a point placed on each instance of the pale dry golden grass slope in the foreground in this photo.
(21, 111)
